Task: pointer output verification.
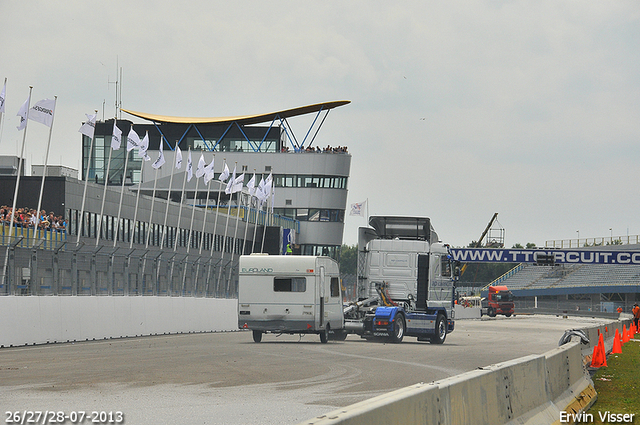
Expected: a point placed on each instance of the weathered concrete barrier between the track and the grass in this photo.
(535, 389)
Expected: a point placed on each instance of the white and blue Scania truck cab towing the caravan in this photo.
(406, 282)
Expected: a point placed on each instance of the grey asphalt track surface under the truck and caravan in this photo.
(226, 378)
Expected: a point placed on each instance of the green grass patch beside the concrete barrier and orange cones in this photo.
(618, 384)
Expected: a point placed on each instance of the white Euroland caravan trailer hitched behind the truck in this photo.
(289, 294)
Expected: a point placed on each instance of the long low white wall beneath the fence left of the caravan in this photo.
(40, 320)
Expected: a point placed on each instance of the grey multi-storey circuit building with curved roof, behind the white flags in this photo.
(164, 235)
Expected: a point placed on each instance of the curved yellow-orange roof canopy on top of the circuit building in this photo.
(246, 119)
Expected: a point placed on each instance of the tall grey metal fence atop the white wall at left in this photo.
(86, 270)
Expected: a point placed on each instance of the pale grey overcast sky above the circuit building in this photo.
(459, 109)
